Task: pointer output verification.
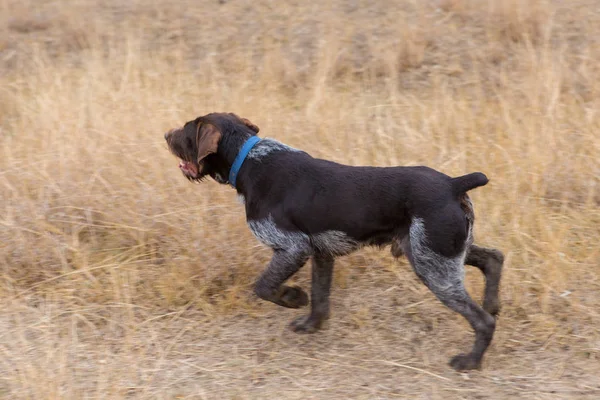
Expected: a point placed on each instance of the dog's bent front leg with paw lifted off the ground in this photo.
(283, 265)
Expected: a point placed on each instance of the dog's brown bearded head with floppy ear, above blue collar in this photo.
(209, 144)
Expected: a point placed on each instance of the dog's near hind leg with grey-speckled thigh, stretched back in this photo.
(444, 276)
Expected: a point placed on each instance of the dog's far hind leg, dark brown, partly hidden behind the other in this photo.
(490, 262)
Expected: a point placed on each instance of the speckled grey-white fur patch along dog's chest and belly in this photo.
(330, 242)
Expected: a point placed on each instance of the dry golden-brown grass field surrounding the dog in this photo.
(120, 279)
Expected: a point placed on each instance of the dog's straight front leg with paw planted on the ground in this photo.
(322, 271)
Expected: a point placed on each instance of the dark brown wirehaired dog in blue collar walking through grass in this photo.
(304, 207)
